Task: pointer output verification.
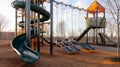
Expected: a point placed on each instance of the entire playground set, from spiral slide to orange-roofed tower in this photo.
(23, 43)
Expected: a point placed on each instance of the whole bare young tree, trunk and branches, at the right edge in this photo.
(114, 8)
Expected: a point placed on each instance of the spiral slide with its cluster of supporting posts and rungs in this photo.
(22, 43)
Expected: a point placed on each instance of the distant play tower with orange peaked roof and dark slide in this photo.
(94, 21)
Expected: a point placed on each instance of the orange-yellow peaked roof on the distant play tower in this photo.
(92, 8)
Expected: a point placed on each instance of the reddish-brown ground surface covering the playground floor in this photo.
(93, 58)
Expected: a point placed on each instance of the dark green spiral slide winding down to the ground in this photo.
(19, 44)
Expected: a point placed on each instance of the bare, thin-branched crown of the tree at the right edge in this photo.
(113, 6)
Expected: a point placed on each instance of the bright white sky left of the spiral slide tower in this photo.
(8, 12)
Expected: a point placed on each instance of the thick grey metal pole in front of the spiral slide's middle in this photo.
(28, 32)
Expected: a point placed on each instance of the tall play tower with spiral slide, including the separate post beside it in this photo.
(29, 20)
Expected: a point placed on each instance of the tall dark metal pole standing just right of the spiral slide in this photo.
(51, 28)
